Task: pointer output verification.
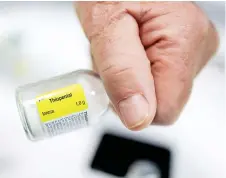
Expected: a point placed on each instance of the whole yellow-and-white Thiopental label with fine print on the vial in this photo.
(63, 109)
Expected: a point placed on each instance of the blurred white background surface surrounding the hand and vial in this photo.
(53, 43)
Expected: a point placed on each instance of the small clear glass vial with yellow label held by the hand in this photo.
(61, 104)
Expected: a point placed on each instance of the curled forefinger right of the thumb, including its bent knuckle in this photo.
(177, 51)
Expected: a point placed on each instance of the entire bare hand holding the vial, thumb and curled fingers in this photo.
(148, 54)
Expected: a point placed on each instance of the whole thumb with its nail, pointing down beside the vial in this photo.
(123, 66)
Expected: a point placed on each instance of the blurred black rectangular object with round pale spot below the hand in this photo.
(117, 155)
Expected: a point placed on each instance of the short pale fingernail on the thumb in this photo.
(134, 110)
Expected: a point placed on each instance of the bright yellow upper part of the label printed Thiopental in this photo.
(61, 102)
